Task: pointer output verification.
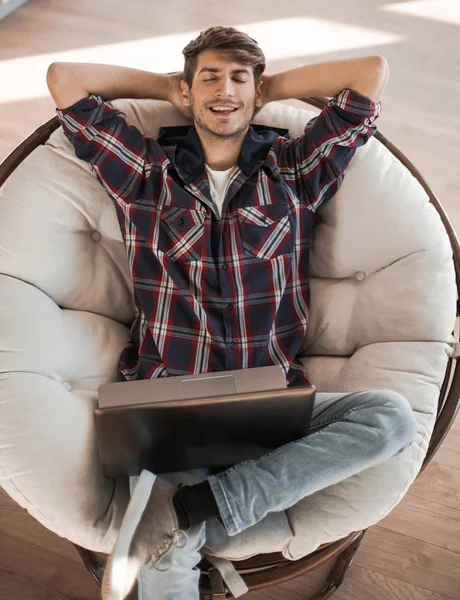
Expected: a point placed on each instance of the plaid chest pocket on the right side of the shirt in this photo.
(265, 230)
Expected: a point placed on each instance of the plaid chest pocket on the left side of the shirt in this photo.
(181, 233)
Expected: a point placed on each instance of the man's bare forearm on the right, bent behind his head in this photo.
(367, 75)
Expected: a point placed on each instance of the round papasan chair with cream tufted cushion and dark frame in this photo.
(385, 273)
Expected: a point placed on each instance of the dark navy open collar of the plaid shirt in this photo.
(182, 146)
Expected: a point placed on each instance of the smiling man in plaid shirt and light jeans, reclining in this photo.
(217, 220)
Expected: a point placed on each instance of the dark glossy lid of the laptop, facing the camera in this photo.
(206, 432)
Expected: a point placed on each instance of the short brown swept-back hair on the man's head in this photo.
(236, 44)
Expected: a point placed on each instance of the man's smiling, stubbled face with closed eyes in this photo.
(222, 98)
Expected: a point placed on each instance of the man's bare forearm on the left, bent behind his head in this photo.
(69, 82)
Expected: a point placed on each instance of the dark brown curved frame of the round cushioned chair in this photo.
(269, 569)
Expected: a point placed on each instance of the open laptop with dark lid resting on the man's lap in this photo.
(207, 420)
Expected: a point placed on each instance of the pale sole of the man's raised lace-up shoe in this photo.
(118, 576)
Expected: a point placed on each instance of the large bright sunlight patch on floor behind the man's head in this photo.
(25, 78)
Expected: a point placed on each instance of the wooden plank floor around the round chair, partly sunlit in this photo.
(413, 554)
